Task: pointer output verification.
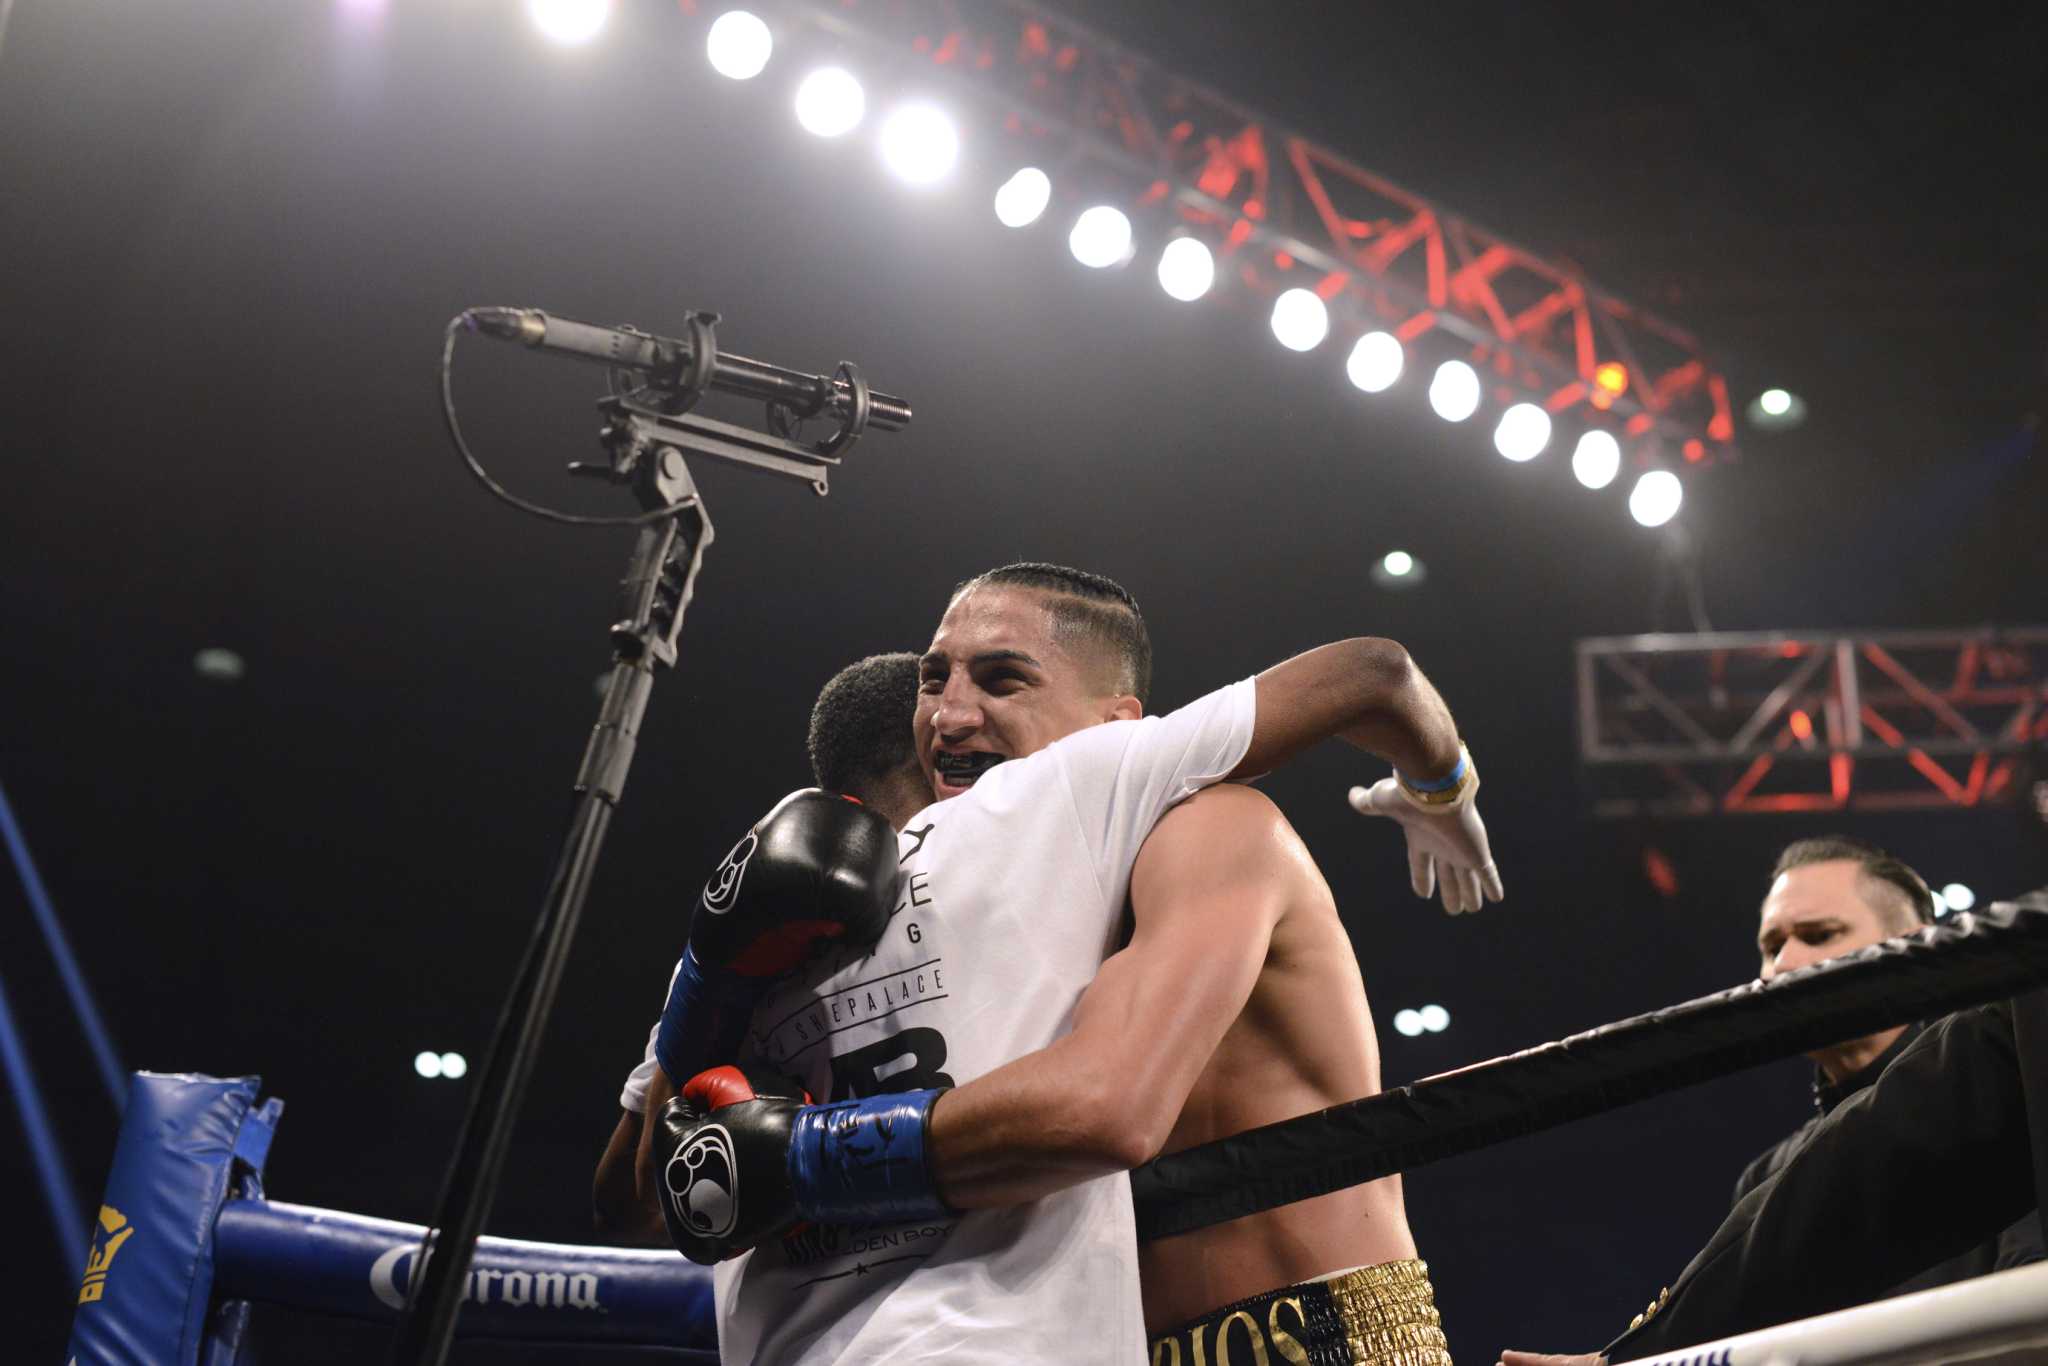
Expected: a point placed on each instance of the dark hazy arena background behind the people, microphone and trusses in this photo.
(234, 228)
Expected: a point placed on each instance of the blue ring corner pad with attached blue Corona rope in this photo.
(185, 1244)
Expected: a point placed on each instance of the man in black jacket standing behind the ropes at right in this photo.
(1924, 1158)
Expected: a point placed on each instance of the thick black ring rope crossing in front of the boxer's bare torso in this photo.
(1969, 962)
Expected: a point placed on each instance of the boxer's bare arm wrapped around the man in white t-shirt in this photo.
(1207, 892)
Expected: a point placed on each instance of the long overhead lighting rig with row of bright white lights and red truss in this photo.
(1144, 167)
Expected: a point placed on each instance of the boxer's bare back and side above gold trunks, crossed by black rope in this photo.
(1302, 1043)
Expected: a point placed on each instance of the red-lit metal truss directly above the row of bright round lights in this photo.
(1283, 212)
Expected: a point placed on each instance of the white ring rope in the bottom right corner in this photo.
(1988, 1320)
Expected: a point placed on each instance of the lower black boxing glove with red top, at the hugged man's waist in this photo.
(728, 1121)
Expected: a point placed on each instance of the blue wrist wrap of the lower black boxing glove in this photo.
(863, 1162)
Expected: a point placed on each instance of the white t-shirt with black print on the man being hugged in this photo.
(1013, 898)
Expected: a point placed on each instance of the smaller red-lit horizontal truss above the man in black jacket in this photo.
(1811, 722)
